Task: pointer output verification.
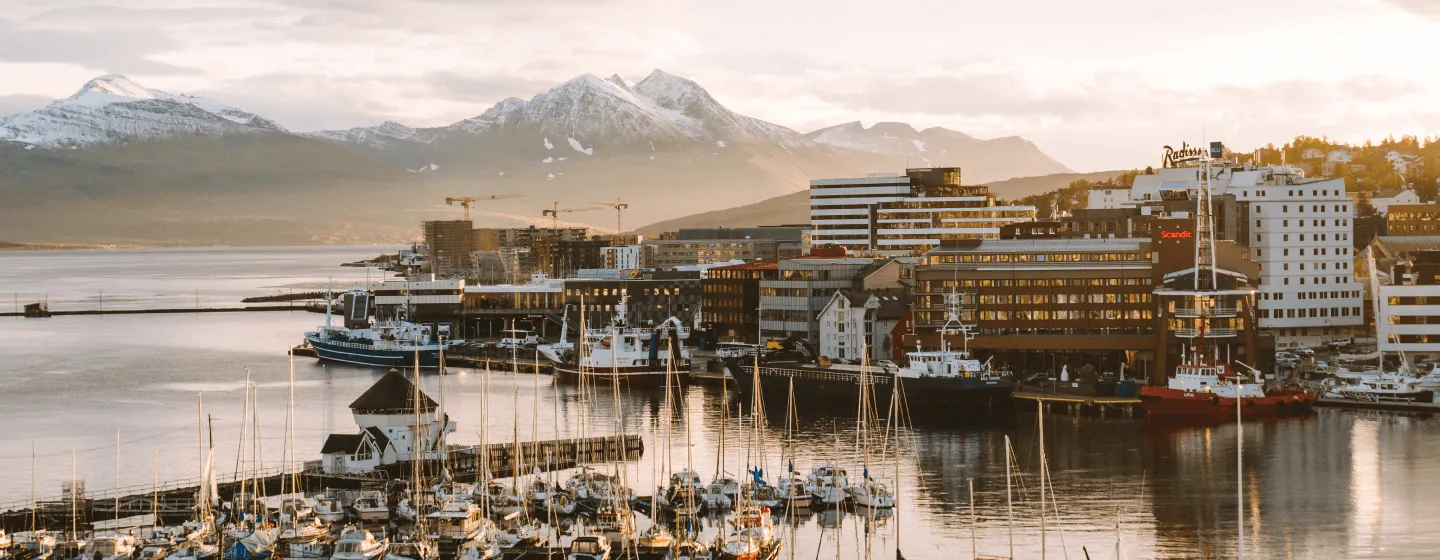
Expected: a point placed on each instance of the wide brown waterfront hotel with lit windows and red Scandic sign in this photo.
(1043, 303)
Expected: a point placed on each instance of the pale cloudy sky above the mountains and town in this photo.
(1098, 84)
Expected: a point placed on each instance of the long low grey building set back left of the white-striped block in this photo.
(709, 245)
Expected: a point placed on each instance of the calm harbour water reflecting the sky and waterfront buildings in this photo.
(1338, 484)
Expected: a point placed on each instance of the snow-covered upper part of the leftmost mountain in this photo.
(113, 109)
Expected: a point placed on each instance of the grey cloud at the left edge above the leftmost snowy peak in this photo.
(107, 51)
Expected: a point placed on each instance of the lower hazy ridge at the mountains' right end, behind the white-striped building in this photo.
(983, 161)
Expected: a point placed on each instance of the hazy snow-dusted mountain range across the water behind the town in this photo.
(122, 163)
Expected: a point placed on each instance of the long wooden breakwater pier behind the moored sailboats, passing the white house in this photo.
(175, 502)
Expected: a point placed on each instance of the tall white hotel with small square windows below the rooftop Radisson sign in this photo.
(1298, 231)
